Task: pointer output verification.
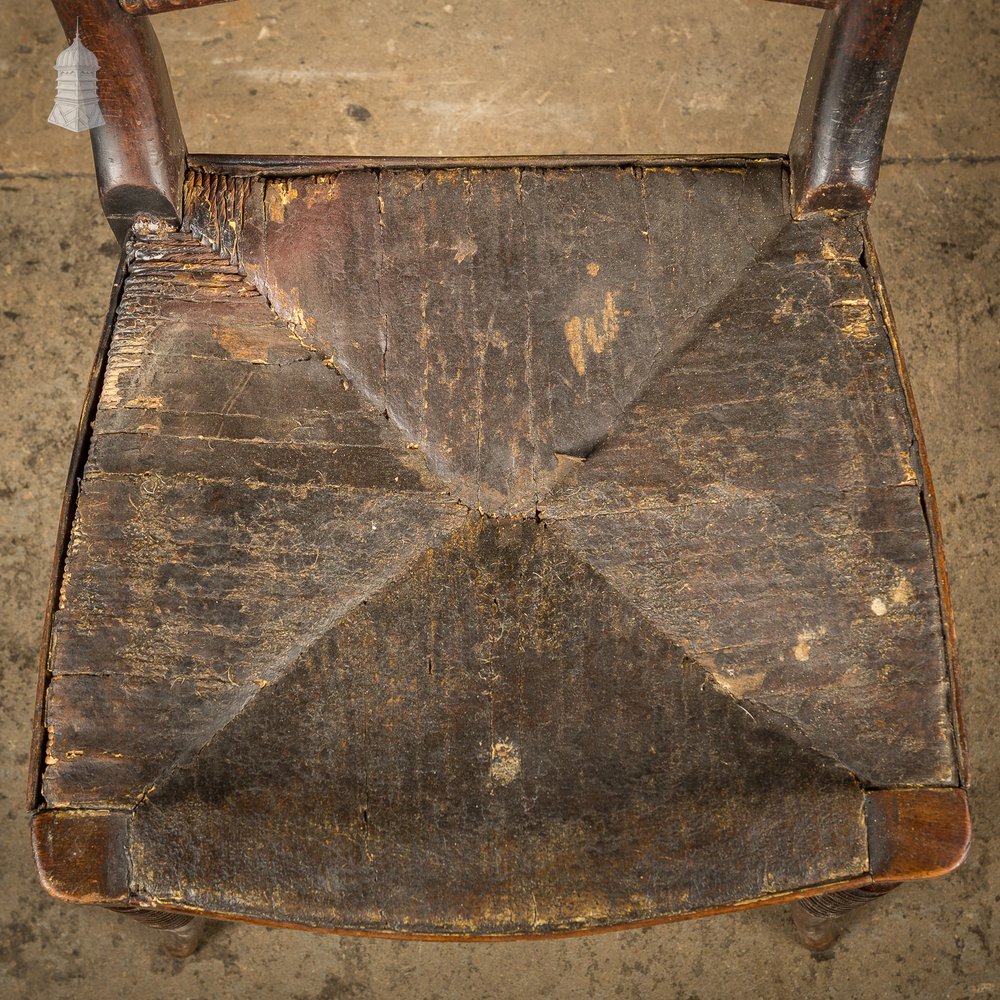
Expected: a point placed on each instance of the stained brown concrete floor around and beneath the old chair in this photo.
(462, 78)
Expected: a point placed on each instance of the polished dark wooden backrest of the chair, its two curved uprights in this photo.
(835, 151)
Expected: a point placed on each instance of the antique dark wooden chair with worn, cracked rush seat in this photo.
(475, 550)
